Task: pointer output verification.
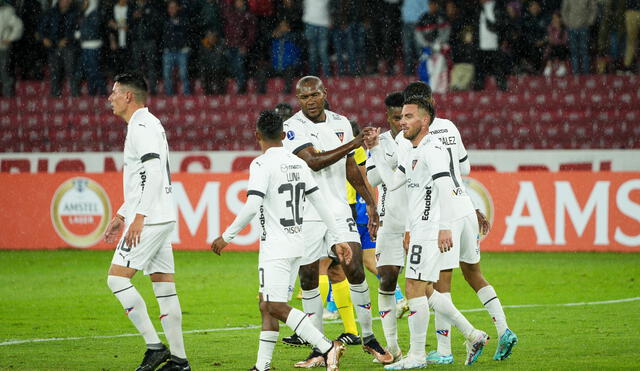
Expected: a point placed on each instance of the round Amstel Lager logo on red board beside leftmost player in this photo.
(80, 212)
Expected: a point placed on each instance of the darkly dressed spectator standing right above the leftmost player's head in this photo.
(146, 21)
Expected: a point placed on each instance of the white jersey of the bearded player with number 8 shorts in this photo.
(422, 165)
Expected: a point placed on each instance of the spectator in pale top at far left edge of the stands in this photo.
(10, 31)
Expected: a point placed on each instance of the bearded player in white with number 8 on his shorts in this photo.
(432, 197)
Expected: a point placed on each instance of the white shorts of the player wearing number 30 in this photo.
(277, 278)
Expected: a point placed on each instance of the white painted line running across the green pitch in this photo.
(252, 327)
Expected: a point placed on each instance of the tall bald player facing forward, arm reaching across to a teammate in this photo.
(324, 140)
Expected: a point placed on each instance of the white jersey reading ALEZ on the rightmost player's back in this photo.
(449, 137)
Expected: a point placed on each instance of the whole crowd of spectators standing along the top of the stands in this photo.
(454, 44)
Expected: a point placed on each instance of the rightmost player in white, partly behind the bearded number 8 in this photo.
(467, 226)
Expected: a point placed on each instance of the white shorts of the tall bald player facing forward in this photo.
(315, 237)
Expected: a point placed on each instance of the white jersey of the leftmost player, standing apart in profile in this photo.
(146, 140)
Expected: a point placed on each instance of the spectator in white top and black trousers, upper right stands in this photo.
(490, 58)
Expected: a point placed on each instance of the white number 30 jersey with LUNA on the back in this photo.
(283, 180)
